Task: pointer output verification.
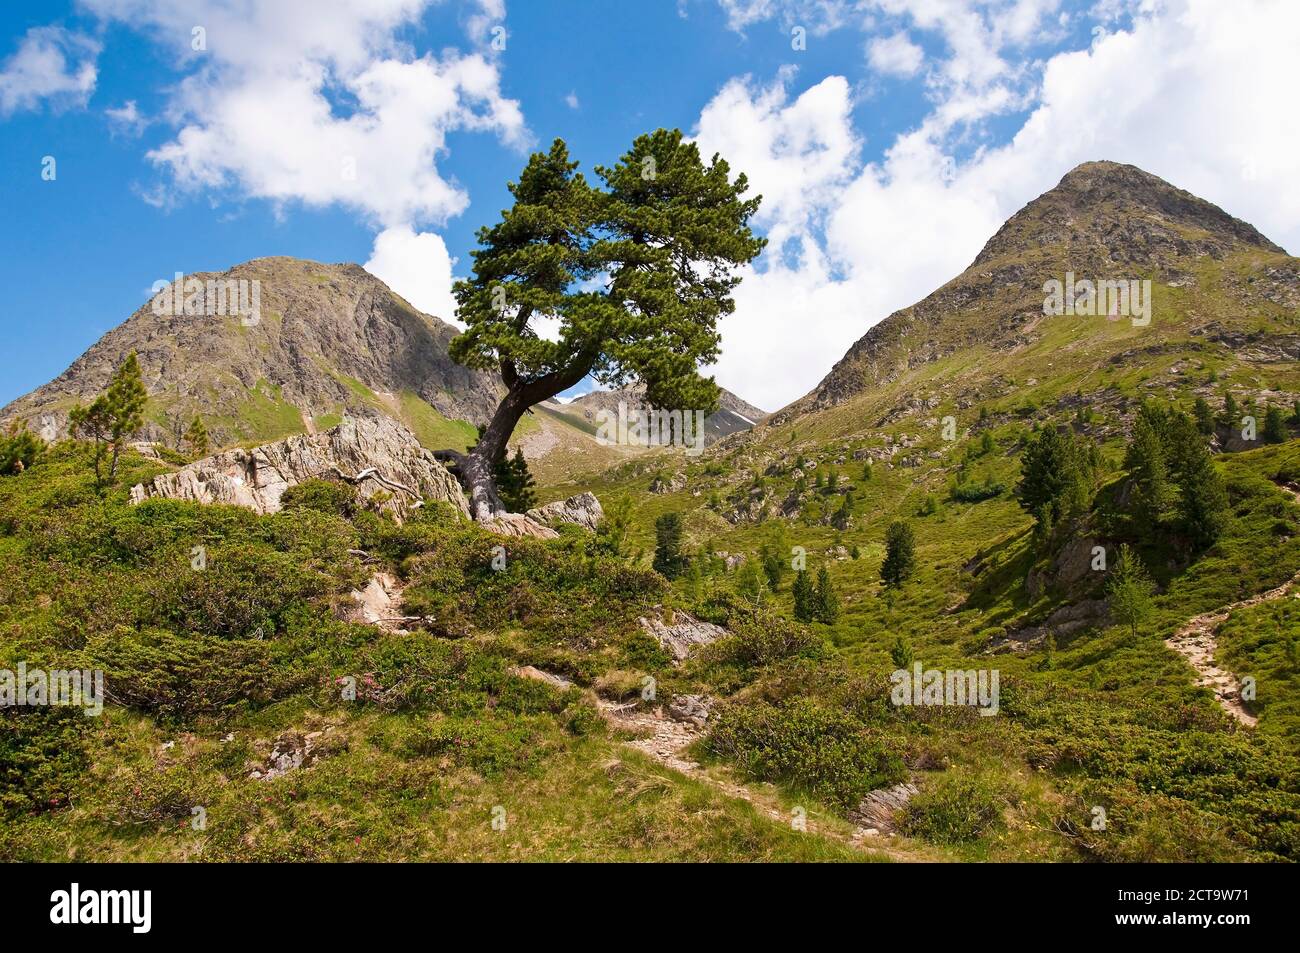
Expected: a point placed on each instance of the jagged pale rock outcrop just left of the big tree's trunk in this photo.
(375, 454)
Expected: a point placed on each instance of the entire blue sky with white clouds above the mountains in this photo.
(890, 144)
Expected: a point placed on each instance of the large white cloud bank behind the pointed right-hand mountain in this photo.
(1197, 92)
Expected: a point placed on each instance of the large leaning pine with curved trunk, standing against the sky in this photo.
(666, 235)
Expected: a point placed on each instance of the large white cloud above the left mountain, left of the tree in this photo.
(319, 102)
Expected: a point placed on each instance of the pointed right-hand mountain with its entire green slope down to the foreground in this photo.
(1124, 646)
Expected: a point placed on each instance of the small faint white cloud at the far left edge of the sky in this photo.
(51, 66)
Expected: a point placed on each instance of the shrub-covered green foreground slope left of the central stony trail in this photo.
(207, 668)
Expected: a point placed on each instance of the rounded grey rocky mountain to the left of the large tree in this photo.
(330, 339)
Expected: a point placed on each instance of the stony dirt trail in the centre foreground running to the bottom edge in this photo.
(666, 740)
